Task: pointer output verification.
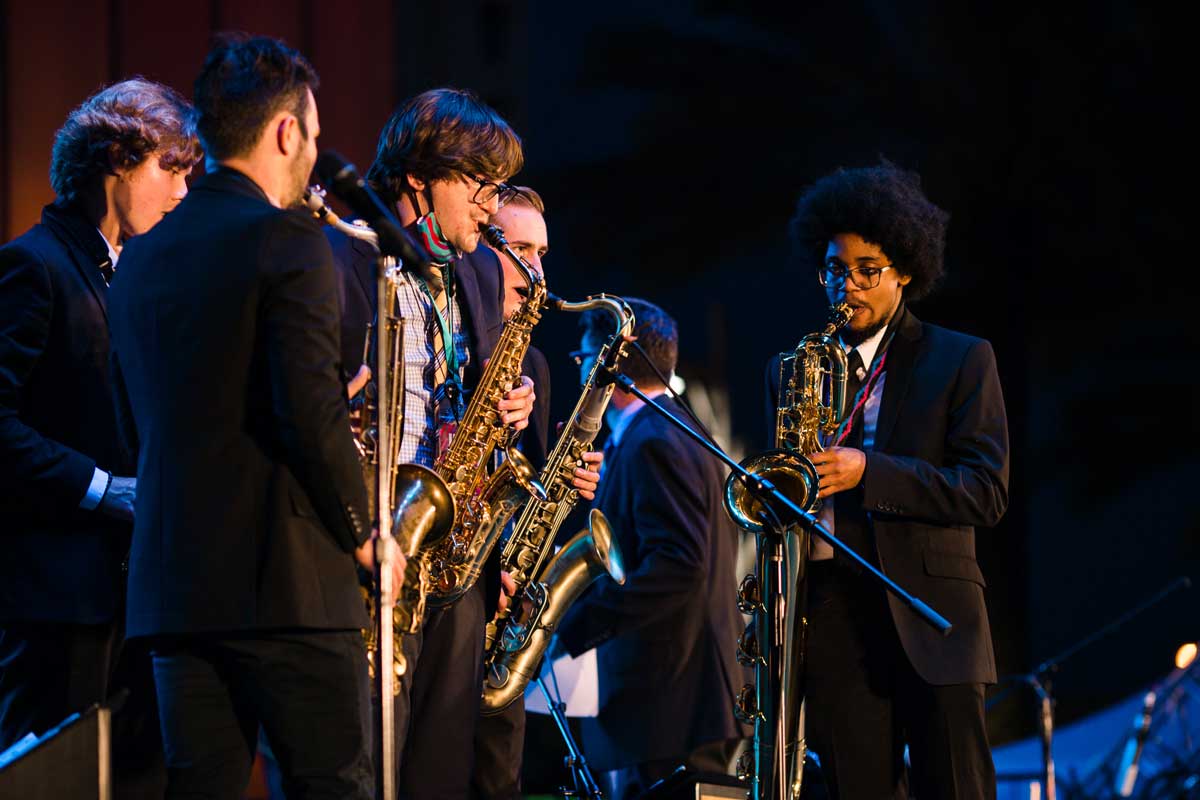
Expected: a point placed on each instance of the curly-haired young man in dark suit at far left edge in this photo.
(67, 477)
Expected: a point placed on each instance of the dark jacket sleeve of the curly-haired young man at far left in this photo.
(32, 466)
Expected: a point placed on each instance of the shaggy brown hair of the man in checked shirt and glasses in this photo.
(440, 133)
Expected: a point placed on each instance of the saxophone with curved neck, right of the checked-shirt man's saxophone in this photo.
(514, 648)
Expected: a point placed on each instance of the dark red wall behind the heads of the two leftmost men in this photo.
(58, 52)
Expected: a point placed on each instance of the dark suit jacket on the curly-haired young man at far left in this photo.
(57, 425)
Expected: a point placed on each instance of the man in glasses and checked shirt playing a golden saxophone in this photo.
(441, 164)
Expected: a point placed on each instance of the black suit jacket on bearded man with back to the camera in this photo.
(250, 497)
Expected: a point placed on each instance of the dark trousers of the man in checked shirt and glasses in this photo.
(439, 705)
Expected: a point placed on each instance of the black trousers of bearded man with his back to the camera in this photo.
(309, 690)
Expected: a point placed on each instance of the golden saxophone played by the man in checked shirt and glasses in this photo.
(483, 504)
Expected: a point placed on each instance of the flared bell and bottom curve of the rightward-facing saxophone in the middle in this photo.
(592, 554)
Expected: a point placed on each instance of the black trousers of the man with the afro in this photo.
(865, 702)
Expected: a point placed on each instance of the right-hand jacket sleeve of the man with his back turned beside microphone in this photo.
(301, 317)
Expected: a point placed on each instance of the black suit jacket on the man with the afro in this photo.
(938, 470)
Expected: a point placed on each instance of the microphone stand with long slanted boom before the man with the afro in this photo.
(781, 513)
